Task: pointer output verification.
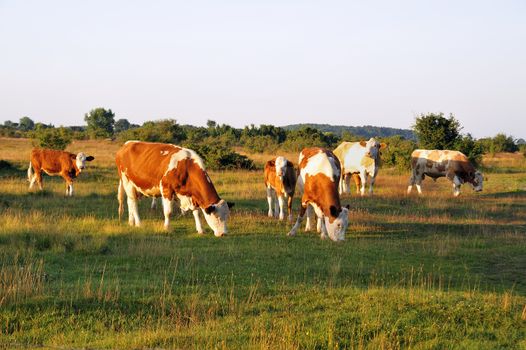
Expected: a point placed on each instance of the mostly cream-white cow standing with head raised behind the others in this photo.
(359, 160)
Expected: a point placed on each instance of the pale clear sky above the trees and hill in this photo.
(275, 62)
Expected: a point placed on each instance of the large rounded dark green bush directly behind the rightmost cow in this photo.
(434, 131)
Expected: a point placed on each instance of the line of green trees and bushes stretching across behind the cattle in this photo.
(216, 142)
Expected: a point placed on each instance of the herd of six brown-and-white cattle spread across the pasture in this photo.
(170, 172)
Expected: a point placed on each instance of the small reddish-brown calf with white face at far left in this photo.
(54, 162)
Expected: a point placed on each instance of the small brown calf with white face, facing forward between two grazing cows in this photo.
(280, 181)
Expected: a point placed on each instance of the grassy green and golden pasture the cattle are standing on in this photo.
(414, 272)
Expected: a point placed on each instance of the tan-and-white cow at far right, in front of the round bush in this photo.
(437, 163)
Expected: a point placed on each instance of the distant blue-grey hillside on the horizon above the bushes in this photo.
(365, 131)
